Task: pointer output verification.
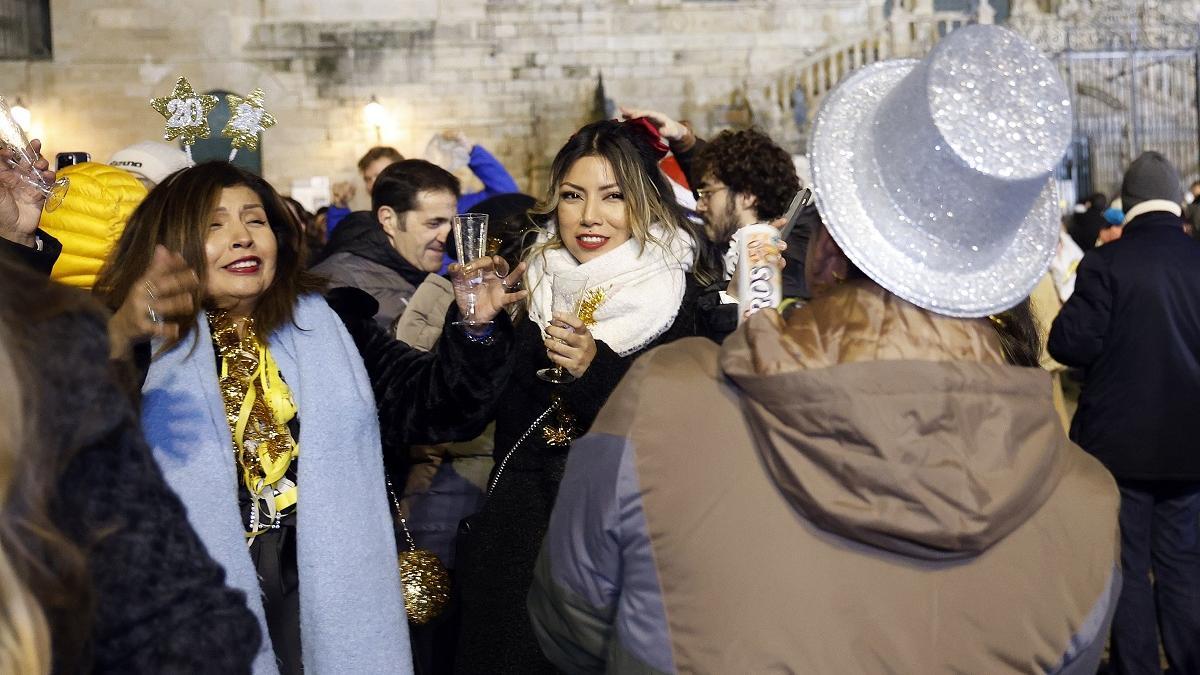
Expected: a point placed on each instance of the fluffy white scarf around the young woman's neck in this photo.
(644, 286)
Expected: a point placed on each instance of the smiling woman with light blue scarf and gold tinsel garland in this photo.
(269, 372)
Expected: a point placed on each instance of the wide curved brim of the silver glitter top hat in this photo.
(854, 206)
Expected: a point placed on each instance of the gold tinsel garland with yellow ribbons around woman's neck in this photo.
(259, 407)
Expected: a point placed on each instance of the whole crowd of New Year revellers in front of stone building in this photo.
(261, 440)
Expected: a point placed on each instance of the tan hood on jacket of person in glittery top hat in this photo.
(896, 427)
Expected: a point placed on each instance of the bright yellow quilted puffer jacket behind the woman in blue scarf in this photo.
(92, 219)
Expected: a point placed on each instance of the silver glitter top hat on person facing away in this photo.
(935, 177)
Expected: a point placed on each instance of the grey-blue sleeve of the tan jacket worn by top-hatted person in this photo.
(596, 602)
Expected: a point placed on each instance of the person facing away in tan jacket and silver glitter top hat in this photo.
(881, 485)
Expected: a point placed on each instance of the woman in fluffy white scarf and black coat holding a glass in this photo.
(611, 218)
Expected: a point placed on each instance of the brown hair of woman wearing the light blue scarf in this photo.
(177, 214)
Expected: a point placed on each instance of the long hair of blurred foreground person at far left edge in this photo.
(47, 564)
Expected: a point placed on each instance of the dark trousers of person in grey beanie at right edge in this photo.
(1160, 537)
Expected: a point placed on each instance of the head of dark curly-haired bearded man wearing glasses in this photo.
(745, 178)
